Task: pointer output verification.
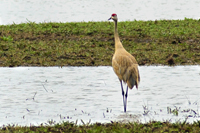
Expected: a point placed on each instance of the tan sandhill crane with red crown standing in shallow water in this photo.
(124, 64)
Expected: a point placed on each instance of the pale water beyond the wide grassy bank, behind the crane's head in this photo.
(15, 11)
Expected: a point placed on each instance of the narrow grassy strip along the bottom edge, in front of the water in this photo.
(109, 128)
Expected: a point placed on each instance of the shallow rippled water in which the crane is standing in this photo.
(34, 95)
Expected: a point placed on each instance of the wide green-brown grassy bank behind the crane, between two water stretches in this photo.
(167, 42)
